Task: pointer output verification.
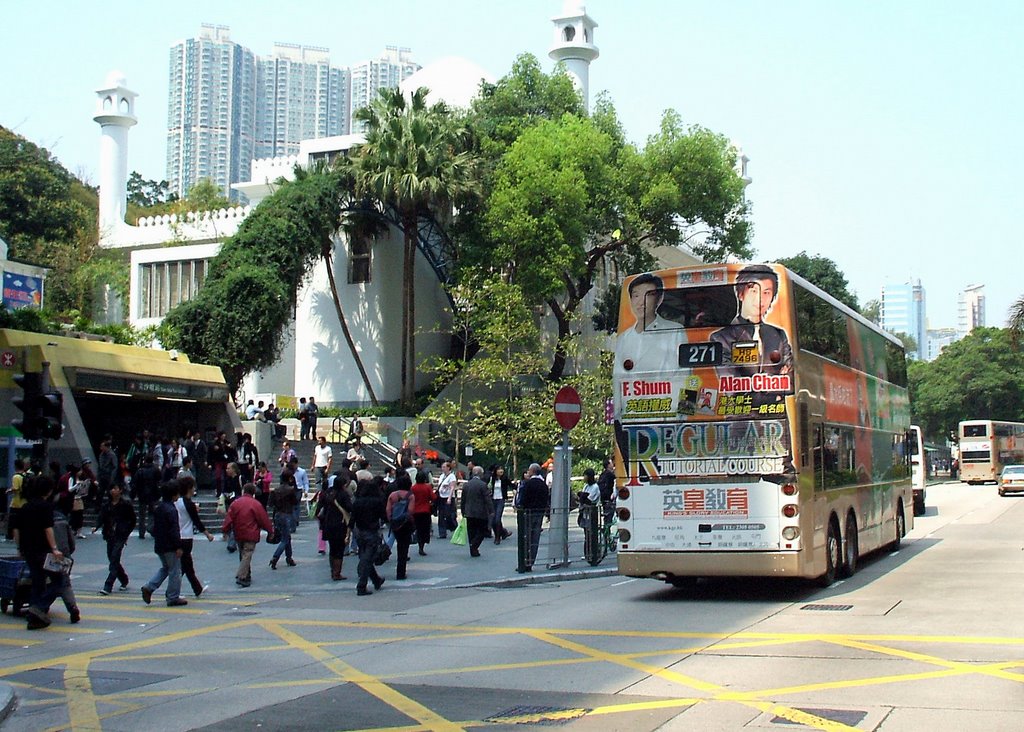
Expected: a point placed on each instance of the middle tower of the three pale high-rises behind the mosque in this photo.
(301, 97)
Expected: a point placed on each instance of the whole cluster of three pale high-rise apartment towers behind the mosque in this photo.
(228, 106)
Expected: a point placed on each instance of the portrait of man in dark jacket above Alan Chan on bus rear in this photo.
(749, 345)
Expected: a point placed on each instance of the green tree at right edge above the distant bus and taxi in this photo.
(980, 377)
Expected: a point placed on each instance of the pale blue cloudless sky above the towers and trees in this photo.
(885, 136)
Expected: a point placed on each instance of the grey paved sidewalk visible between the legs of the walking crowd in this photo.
(446, 566)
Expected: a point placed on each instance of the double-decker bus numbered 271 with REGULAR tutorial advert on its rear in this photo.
(761, 428)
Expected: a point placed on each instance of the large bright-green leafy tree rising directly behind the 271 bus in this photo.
(571, 199)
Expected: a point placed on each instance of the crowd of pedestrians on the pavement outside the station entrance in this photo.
(359, 514)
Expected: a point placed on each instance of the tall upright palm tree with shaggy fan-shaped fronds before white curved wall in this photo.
(415, 165)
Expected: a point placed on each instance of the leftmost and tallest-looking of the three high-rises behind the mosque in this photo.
(211, 112)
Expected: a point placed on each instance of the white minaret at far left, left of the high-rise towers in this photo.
(115, 114)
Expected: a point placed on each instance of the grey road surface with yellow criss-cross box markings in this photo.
(926, 638)
